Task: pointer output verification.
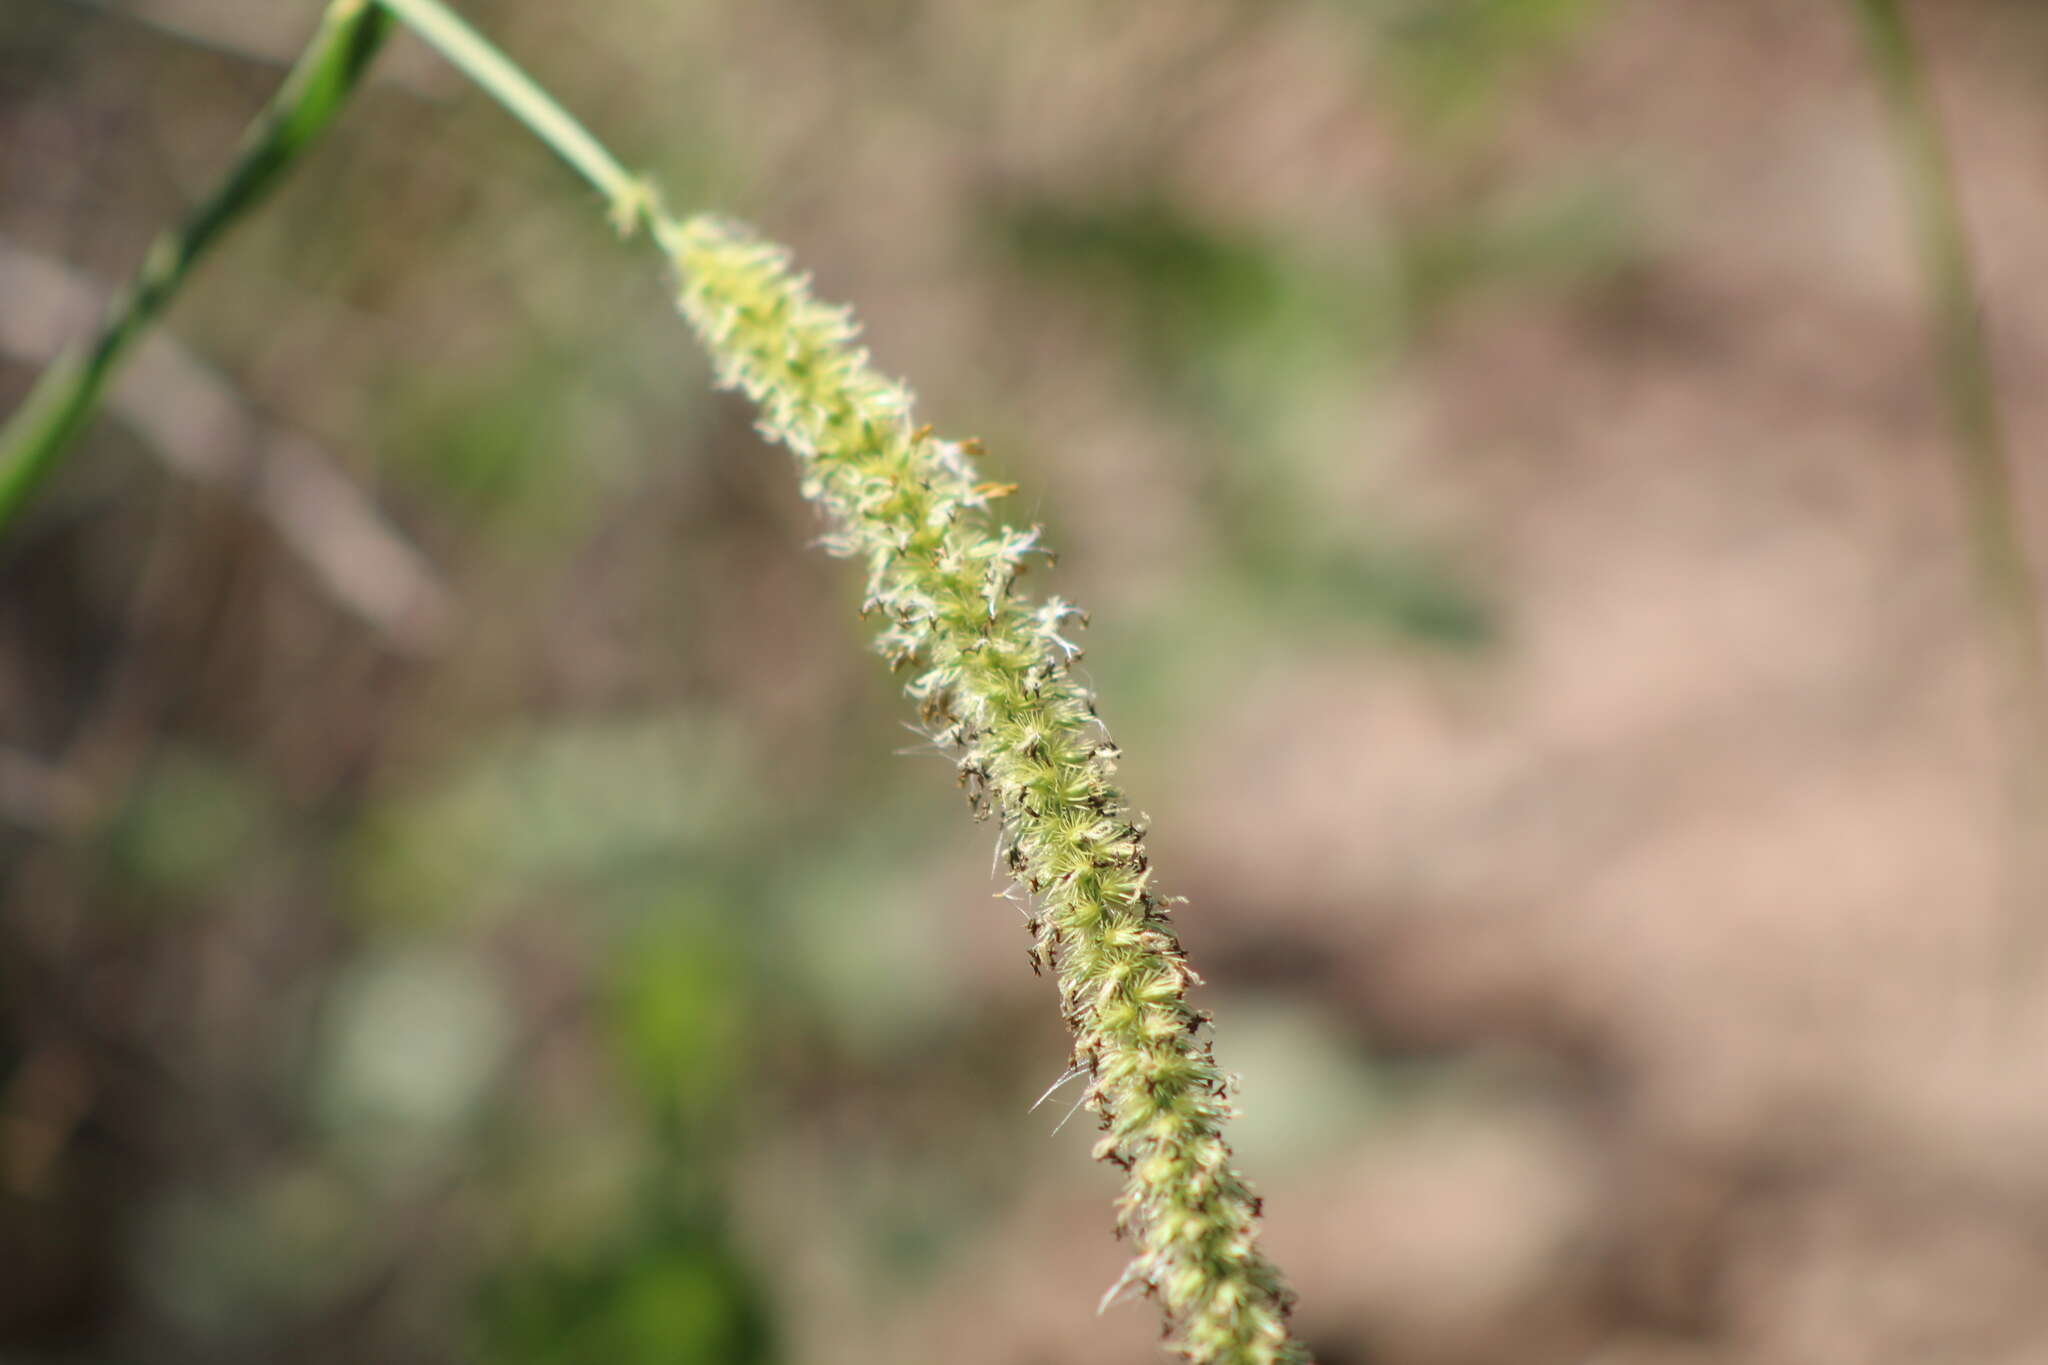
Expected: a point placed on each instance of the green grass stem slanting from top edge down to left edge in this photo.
(40, 433)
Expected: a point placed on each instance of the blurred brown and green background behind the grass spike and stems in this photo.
(460, 891)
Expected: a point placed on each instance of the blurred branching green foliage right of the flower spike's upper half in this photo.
(1244, 337)
